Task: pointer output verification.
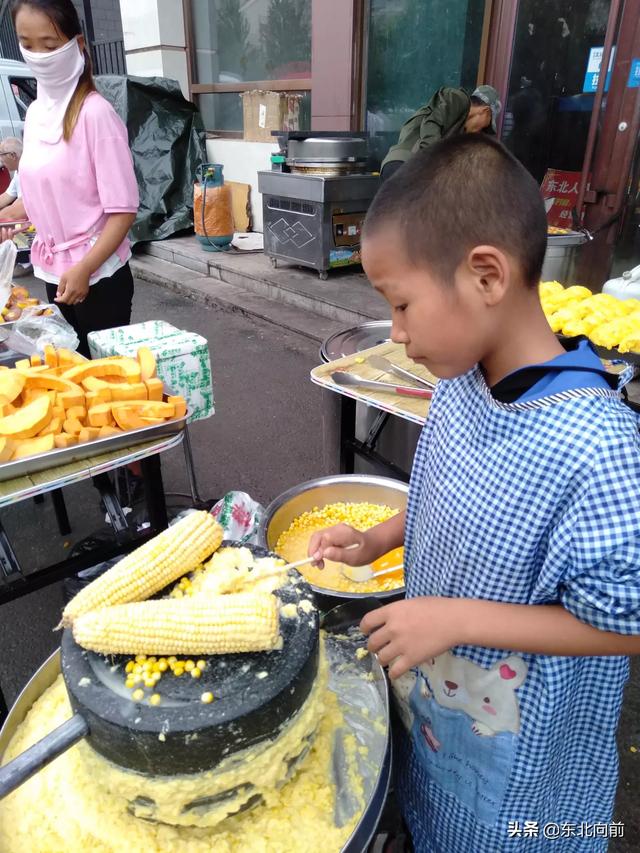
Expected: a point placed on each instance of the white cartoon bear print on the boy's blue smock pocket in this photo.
(486, 695)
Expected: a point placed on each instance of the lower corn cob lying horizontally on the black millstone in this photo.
(204, 625)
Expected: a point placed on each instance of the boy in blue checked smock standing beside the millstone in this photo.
(522, 530)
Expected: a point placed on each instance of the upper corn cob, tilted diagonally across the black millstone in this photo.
(148, 569)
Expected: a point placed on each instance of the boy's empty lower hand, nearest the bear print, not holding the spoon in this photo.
(406, 633)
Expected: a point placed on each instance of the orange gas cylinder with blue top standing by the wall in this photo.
(212, 209)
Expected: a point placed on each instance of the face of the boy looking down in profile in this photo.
(444, 326)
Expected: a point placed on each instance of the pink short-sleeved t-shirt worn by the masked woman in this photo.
(68, 188)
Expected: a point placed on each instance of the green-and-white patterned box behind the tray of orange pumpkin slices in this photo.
(183, 359)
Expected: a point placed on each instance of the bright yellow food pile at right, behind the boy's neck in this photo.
(607, 321)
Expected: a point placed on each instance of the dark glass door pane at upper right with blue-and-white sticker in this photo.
(551, 89)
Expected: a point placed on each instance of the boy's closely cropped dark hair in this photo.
(464, 192)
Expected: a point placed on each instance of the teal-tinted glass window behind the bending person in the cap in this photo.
(414, 48)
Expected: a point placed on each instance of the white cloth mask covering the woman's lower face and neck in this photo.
(57, 73)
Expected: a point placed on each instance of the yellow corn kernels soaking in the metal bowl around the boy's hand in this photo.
(294, 542)
